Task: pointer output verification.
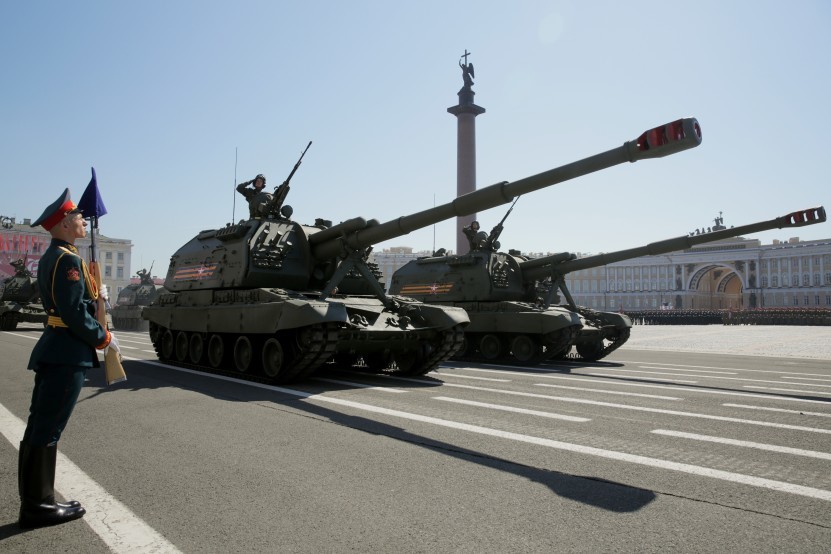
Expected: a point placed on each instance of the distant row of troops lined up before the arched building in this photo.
(751, 316)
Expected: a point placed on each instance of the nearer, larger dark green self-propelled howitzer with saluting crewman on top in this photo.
(286, 297)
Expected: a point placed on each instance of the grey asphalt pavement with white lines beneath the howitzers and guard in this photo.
(686, 439)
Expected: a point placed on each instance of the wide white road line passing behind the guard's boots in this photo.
(118, 527)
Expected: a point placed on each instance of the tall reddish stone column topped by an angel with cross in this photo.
(465, 112)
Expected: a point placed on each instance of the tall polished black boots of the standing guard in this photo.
(37, 490)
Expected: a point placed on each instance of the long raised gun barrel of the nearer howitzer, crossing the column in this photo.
(658, 142)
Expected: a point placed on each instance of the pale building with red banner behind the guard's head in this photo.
(18, 240)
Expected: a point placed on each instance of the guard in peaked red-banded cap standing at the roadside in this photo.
(60, 360)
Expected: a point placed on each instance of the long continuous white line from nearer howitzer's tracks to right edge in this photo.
(580, 449)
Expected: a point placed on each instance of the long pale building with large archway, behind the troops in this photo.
(733, 273)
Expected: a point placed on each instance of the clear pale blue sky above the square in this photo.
(174, 102)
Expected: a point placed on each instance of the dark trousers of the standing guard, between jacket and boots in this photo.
(53, 399)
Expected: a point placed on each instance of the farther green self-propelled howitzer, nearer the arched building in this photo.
(513, 301)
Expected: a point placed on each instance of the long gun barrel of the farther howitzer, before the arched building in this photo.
(543, 267)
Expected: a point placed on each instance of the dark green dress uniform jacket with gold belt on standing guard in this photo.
(66, 289)
